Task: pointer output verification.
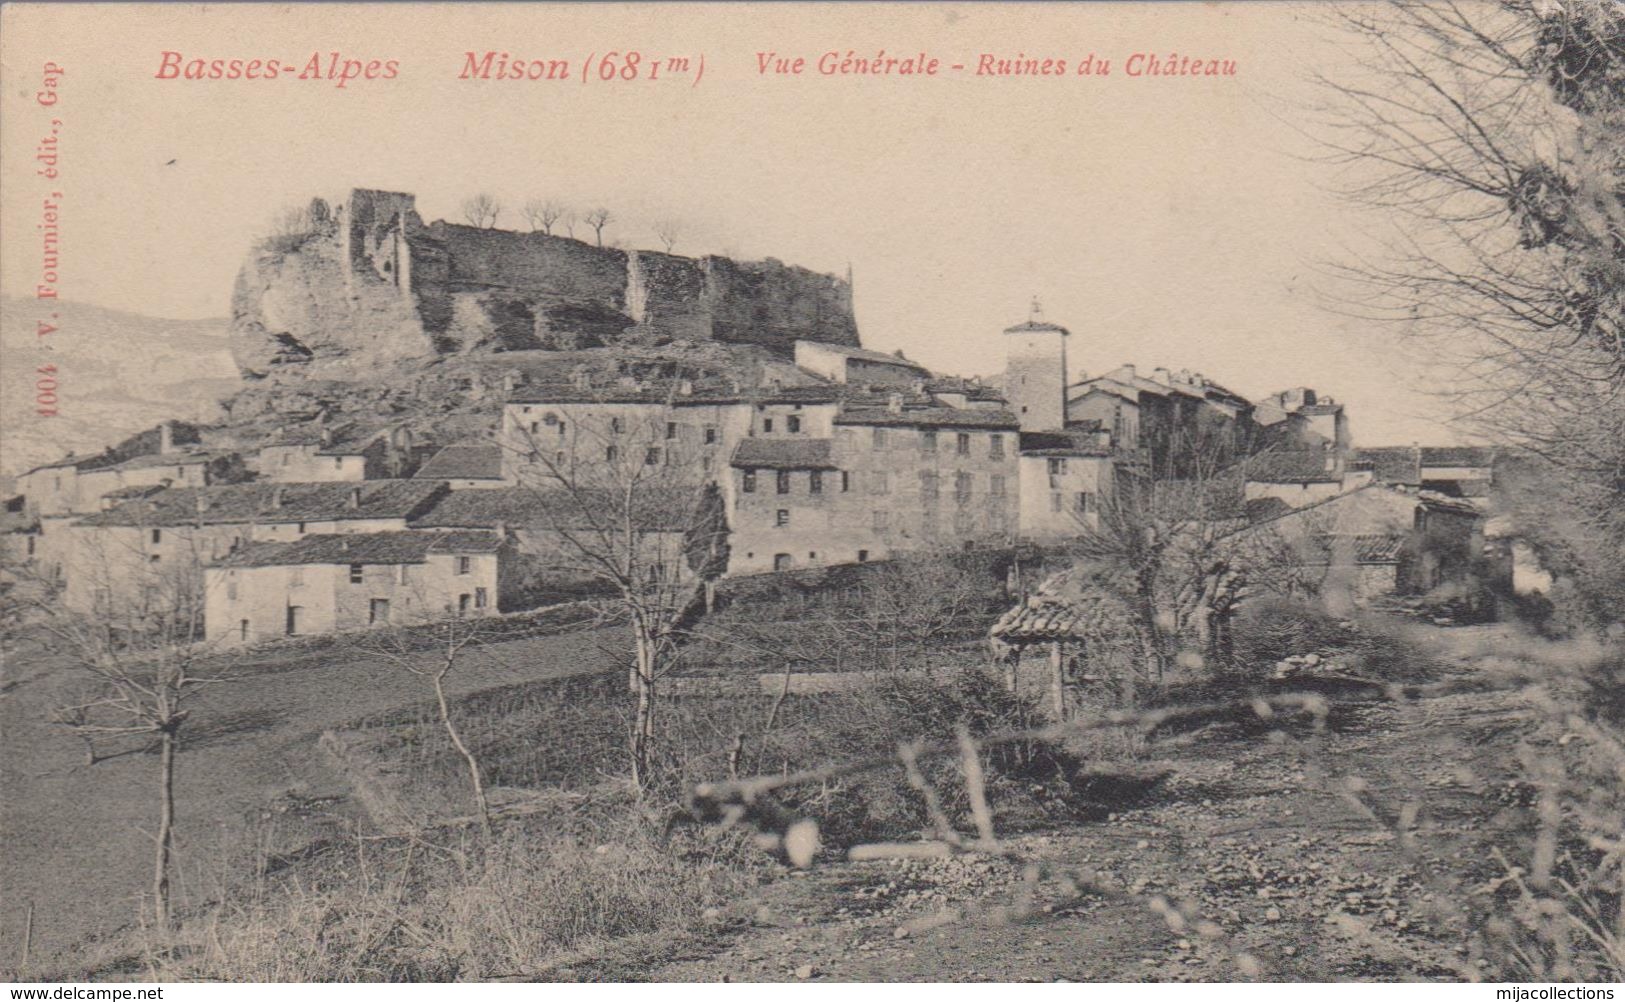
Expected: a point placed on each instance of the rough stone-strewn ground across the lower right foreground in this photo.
(1283, 844)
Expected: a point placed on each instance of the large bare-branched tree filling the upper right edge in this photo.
(1489, 139)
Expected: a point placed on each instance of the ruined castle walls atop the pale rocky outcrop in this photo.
(371, 285)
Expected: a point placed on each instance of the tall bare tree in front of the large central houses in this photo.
(623, 504)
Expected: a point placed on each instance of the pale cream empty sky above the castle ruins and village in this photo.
(1166, 222)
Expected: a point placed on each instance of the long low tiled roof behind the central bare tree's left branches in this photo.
(656, 509)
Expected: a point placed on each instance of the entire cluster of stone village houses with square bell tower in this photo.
(844, 456)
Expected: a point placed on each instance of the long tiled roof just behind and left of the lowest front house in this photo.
(266, 503)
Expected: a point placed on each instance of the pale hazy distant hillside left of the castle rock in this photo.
(118, 374)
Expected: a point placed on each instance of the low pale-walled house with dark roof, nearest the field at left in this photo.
(339, 584)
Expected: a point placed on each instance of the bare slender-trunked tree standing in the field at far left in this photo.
(139, 663)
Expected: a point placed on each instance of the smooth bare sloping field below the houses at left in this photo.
(74, 836)
